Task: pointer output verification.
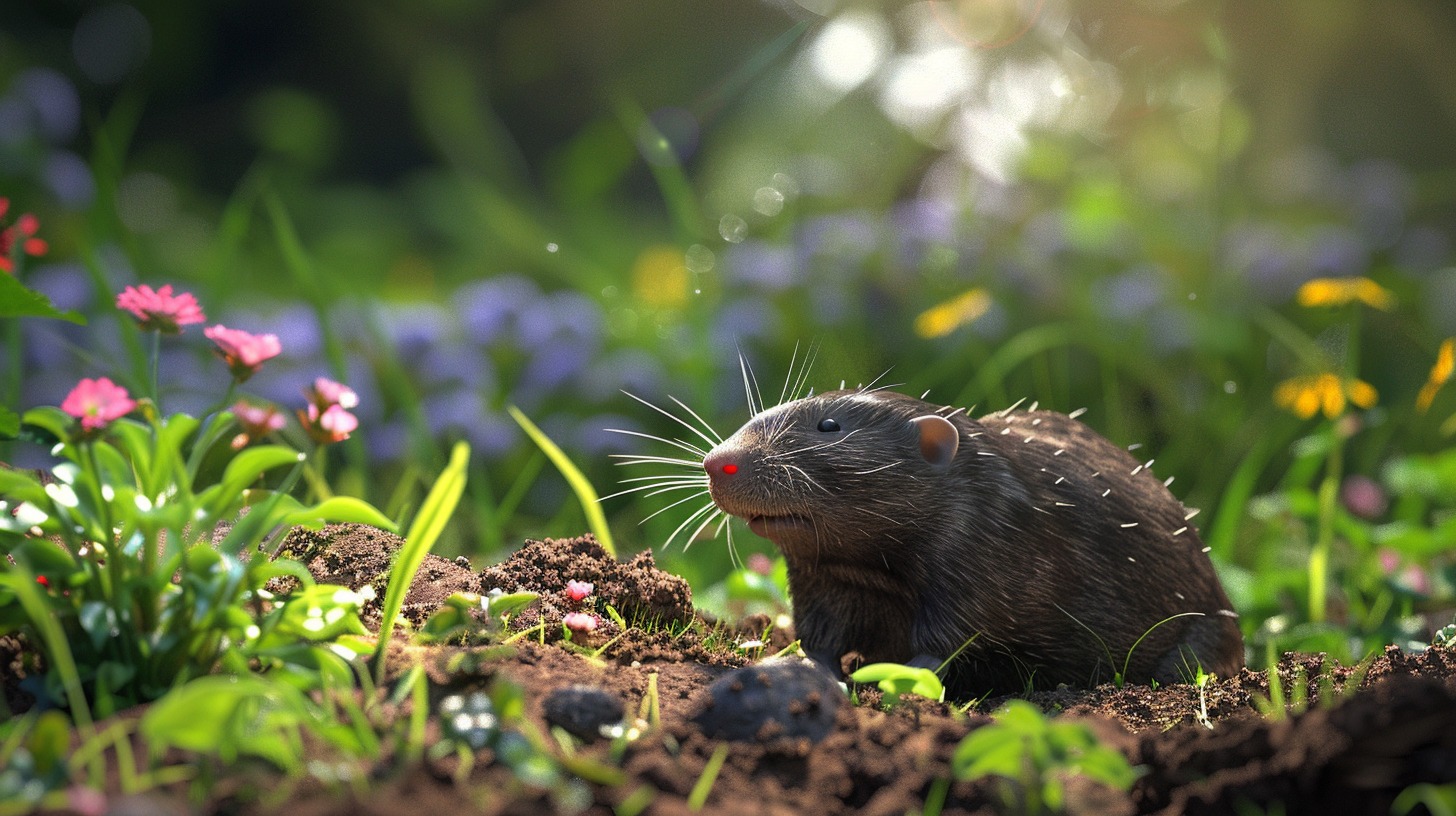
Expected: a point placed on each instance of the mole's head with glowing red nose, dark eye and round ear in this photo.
(845, 461)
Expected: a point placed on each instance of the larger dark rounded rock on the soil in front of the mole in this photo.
(775, 699)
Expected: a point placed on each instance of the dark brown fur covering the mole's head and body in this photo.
(1043, 546)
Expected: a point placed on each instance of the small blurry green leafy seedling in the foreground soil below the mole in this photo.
(1034, 756)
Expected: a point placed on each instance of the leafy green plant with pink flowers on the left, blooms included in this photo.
(142, 560)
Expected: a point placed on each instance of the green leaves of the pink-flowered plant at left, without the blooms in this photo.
(154, 569)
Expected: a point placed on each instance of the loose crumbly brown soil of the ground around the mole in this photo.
(1350, 741)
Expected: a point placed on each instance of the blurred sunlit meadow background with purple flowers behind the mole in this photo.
(455, 206)
